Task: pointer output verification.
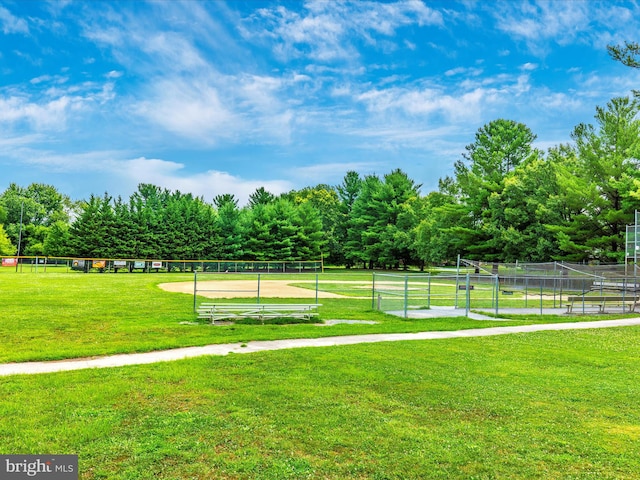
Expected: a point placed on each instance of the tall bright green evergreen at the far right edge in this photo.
(608, 160)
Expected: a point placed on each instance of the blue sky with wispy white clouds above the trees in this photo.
(214, 97)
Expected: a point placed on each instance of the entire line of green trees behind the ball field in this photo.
(505, 201)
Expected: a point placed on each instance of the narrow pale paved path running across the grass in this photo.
(261, 346)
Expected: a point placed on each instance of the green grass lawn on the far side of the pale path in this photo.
(50, 316)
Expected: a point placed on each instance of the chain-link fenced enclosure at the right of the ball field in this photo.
(495, 288)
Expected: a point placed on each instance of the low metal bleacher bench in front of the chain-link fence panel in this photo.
(261, 311)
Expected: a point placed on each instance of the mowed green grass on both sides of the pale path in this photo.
(542, 405)
